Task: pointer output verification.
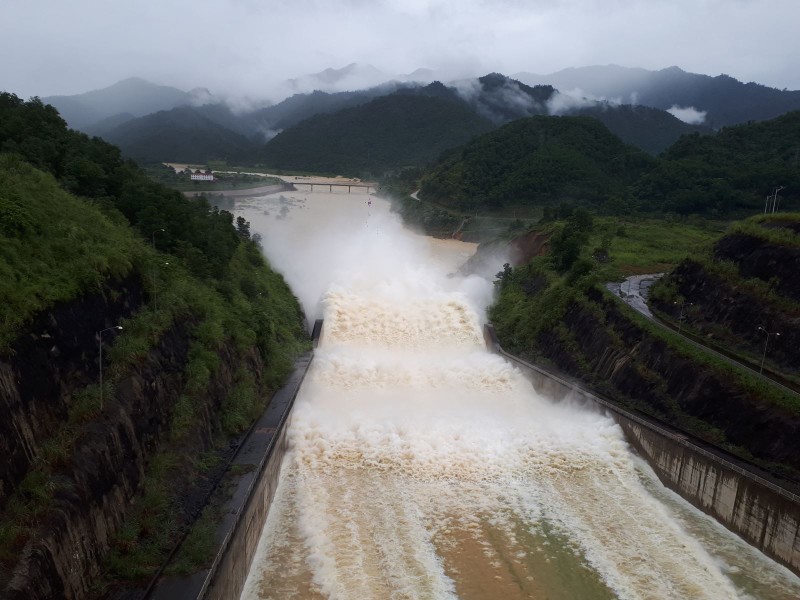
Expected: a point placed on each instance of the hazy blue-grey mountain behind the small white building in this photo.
(181, 135)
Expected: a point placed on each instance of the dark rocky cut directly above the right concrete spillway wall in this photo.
(621, 360)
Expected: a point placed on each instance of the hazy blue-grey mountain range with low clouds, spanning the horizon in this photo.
(648, 109)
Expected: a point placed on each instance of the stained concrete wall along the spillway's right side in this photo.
(761, 512)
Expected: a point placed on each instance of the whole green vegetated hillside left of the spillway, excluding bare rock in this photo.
(188, 271)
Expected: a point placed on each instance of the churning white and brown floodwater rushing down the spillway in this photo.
(421, 466)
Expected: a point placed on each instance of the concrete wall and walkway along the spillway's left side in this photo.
(258, 464)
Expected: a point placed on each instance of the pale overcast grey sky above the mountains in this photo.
(243, 47)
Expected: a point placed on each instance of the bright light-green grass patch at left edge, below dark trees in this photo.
(52, 246)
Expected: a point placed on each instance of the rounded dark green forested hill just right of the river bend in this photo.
(537, 160)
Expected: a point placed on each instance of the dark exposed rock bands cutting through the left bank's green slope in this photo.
(95, 485)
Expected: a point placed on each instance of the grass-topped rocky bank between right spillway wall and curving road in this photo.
(555, 311)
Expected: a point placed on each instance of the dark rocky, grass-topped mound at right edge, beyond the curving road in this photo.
(742, 285)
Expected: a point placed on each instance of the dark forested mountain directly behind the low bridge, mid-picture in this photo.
(386, 133)
